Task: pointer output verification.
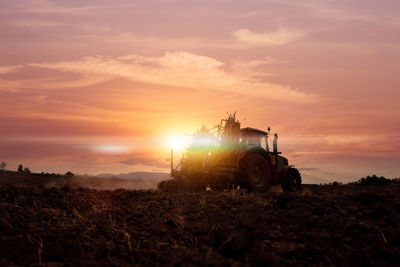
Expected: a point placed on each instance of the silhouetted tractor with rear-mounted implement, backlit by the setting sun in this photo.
(227, 156)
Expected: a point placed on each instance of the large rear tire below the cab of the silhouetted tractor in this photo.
(255, 172)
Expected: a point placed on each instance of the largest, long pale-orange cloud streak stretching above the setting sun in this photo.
(181, 69)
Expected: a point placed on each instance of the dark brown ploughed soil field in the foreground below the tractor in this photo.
(346, 225)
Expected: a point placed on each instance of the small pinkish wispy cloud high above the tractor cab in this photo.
(280, 37)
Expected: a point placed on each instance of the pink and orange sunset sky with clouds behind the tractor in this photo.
(100, 86)
